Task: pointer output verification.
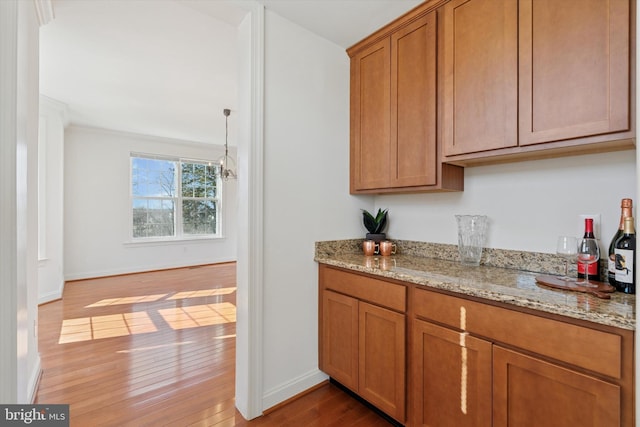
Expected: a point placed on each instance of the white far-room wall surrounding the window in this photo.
(96, 200)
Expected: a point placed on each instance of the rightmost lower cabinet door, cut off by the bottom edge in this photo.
(529, 392)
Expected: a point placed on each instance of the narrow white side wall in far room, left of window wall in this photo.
(50, 197)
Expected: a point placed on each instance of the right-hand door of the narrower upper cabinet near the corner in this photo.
(413, 104)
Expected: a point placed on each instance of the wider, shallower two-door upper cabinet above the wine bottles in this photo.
(526, 79)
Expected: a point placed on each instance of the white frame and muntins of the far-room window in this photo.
(179, 235)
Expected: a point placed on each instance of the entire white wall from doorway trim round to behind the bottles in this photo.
(306, 149)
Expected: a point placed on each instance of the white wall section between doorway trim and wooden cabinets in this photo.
(306, 195)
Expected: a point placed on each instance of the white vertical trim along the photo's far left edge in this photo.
(8, 220)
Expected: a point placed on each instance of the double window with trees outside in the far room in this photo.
(174, 198)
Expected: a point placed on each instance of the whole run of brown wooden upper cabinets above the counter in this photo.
(467, 82)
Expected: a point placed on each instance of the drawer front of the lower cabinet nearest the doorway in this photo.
(364, 288)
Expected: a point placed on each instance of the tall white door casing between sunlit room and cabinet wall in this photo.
(250, 317)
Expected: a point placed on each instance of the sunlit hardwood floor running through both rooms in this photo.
(158, 349)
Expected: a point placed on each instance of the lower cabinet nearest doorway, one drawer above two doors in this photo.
(363, 338)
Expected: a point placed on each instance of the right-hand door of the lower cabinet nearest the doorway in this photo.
(382, 359)
